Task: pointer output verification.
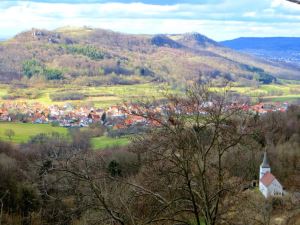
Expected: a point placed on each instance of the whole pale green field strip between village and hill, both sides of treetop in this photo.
(106, 96)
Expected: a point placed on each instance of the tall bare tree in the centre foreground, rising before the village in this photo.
(189, 150)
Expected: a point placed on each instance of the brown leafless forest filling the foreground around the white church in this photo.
(193, 169)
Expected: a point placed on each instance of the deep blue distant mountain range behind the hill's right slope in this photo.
(278, 49)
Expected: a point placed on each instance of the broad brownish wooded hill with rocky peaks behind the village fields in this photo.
(95, 57)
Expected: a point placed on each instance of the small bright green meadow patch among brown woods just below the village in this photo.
(107, 142)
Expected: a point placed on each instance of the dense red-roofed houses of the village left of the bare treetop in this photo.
(69, 115)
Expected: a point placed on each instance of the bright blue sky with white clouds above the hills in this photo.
(217, 19)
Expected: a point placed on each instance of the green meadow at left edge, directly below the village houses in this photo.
(23, 131)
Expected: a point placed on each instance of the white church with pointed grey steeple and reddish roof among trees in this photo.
(268, 184)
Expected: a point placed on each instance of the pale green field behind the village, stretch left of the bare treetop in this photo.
(102, 97)
